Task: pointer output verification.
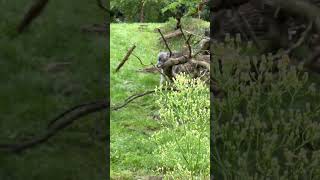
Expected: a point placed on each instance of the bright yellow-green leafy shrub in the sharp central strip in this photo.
(183, 141)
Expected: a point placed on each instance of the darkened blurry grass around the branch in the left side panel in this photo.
(31, 94)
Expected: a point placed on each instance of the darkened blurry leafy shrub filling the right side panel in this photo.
(266, 127)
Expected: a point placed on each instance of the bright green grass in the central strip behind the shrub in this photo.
(131, 127)
